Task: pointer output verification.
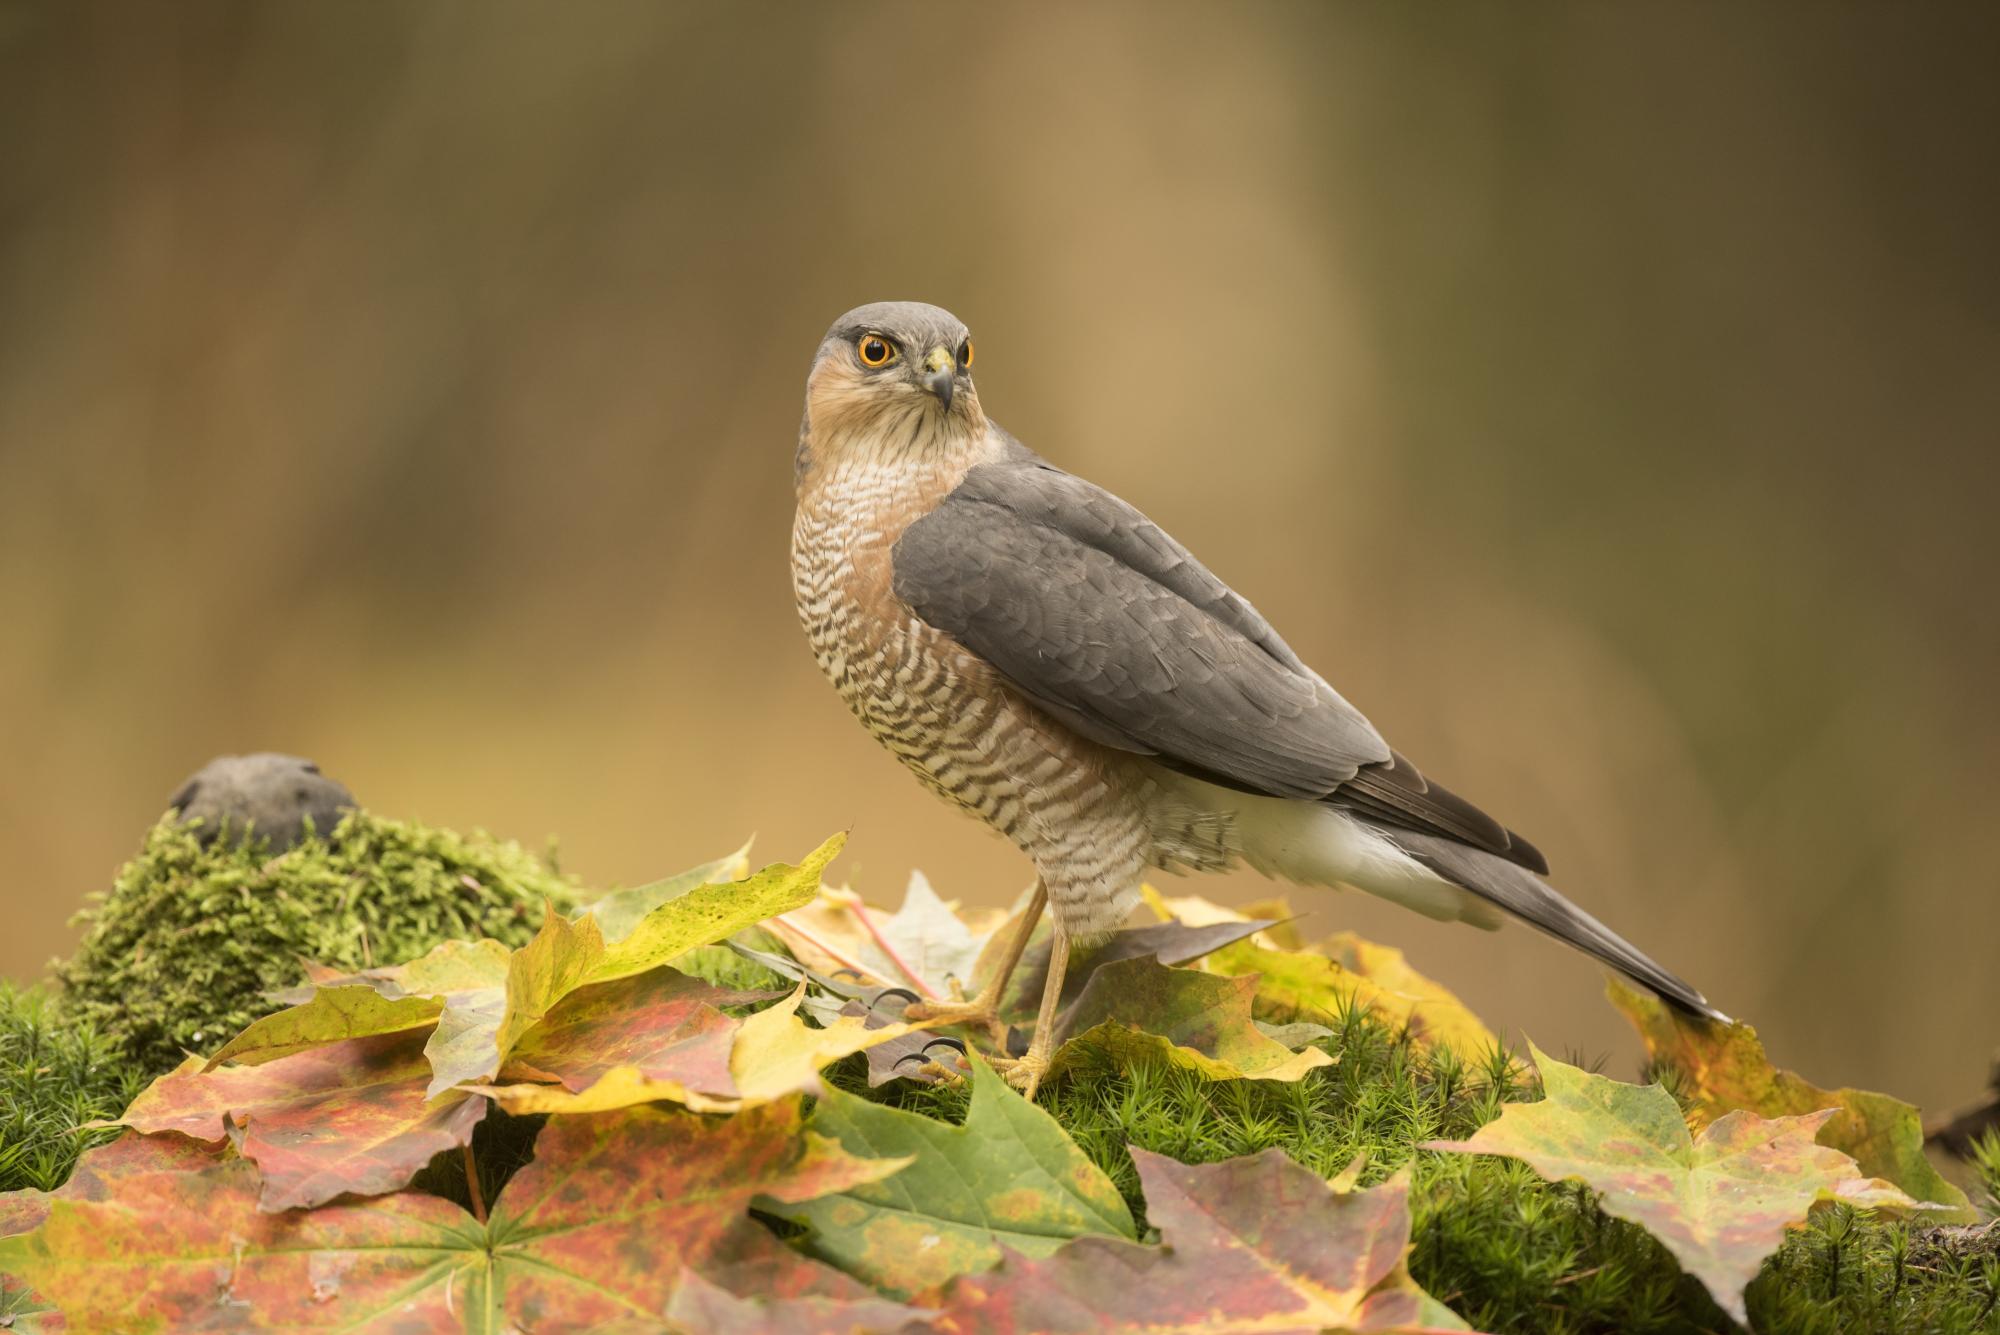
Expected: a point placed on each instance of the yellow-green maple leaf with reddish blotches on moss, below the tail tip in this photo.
(1721, 1202)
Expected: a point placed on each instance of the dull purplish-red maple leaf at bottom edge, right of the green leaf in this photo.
(1255, 1244)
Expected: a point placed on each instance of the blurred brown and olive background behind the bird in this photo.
(1605, 397)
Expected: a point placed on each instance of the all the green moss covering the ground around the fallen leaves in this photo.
(191, 938)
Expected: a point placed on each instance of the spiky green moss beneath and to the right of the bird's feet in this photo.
(1499, 1244)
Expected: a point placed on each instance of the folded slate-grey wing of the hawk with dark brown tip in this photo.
(1107, 623)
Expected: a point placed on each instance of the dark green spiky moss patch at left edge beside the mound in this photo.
(55, 1076)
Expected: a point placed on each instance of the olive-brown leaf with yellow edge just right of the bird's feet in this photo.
(1141, 1010)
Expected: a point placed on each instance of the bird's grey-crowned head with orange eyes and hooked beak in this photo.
(893, 379)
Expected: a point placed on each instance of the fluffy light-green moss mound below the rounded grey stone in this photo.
(181, 952)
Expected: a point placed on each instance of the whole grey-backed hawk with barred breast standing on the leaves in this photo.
(1047, 659)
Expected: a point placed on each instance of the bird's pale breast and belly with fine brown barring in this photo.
(1083, 814)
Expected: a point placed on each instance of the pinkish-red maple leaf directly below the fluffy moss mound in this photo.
(345, 1118)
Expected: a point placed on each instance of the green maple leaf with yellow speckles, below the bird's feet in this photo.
(1005, 1180)
